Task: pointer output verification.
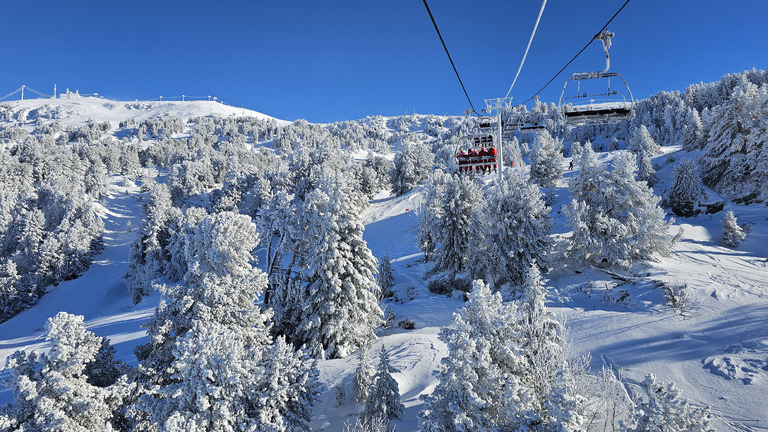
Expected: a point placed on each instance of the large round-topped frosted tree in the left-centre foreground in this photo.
(211, 363)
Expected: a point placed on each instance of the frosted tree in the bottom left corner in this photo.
(52, 391)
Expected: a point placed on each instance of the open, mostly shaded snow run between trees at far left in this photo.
(99, 294)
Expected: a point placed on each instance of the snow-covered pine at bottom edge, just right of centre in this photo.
(479, 388)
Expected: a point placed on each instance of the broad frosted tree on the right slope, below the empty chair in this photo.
(615, 218)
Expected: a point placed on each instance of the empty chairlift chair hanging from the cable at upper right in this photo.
(607, 107)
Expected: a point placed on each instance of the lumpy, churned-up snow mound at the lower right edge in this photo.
(746, 361)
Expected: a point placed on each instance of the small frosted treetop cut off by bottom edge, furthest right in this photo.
(666, 410)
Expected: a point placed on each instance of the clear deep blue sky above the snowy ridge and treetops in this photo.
(333, 60)
